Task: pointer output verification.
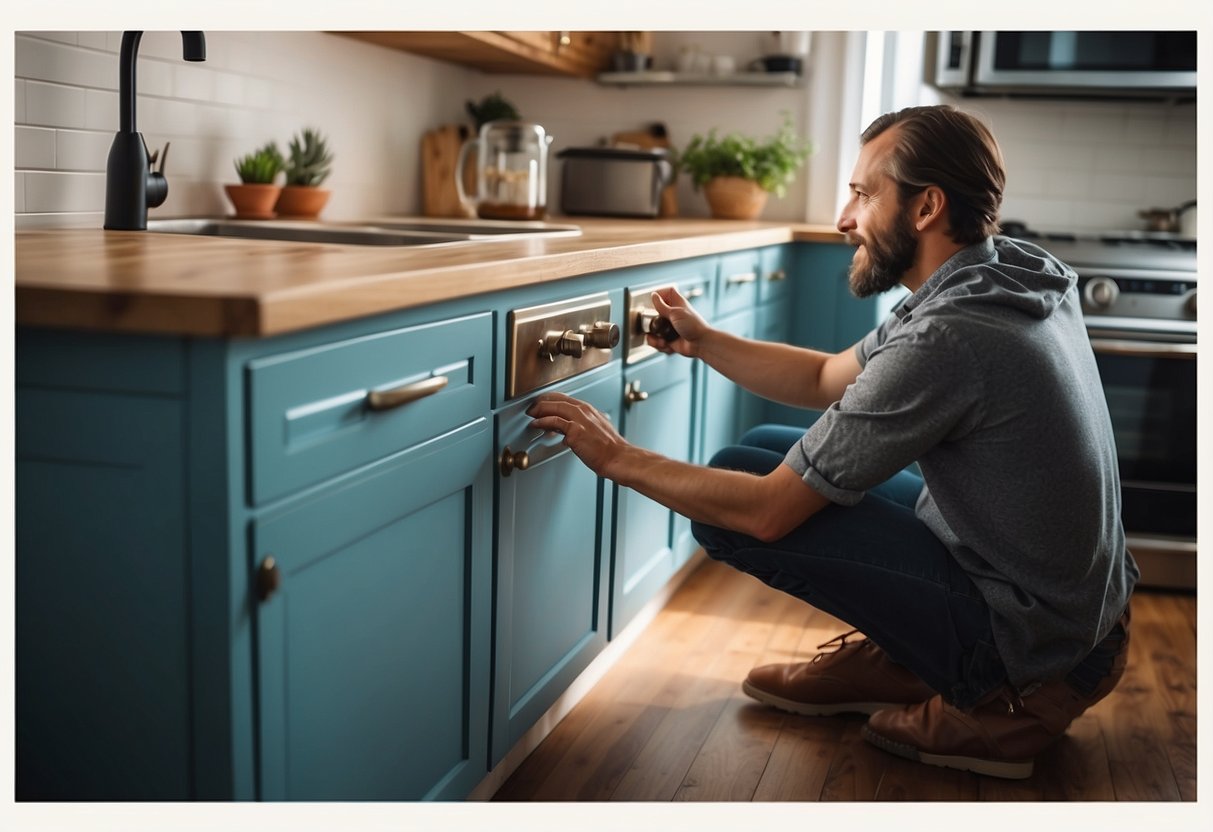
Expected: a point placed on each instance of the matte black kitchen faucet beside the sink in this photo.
(132, 186)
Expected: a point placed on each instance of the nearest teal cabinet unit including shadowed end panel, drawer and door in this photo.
(255, 568)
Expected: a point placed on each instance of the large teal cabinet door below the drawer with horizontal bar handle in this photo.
(374, 652)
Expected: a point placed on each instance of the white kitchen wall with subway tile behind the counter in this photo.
(1073, 166)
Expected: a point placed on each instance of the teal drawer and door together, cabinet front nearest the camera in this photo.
(374, 628)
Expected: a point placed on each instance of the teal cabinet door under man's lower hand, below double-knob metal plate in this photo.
(554, 535)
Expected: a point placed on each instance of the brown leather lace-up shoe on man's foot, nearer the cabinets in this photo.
(856, 679)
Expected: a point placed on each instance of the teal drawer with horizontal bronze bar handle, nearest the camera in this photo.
(321, 412)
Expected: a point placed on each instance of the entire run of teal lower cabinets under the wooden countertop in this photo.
(295, 569)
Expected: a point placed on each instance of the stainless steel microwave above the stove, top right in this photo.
(1124, 64)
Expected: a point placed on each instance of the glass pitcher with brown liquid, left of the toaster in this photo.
(511, 172)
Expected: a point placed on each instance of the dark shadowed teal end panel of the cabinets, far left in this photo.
(102, 620)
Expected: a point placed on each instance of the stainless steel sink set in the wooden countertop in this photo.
(386, 232)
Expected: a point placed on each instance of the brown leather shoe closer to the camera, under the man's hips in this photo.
(1003, 734)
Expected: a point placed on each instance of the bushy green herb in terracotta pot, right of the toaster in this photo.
(738, 173)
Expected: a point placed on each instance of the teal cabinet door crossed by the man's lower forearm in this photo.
(651, 542)
